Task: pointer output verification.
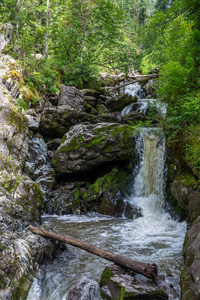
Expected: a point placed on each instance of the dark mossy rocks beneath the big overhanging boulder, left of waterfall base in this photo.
(105, 196)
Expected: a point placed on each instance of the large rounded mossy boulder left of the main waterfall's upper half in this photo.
(87, 146)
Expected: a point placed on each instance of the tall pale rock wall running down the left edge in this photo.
(21, 199)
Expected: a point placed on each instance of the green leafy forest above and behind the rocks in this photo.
(79, 39)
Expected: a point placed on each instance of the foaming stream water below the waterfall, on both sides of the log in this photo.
(152, 238)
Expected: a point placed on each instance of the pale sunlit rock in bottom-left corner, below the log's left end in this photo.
(19, 258)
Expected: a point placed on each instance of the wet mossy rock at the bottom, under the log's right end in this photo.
(117, 284)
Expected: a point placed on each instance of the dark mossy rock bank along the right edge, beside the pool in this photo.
(185, 190)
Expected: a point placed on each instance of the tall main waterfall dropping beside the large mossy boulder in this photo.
(150, 180)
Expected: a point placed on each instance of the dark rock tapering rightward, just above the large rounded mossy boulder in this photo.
(55, 122)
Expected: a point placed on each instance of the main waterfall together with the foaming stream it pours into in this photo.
(153, 238)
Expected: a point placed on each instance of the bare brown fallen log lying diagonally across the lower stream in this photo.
(148, 270)
